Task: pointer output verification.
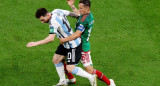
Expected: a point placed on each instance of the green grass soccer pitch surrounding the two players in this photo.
(125, 42)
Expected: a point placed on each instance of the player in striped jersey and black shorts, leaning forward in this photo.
(60, 26)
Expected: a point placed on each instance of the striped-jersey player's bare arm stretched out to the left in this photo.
(48, 39)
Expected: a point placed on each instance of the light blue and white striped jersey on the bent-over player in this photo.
(59, 25)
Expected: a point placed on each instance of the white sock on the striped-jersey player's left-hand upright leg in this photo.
(60, 71)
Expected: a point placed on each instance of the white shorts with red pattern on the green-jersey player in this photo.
(86, 59)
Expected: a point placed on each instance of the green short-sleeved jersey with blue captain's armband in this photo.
(85, 24)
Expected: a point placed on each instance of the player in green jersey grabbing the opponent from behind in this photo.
(83, 28)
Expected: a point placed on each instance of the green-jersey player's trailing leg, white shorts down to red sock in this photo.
(87, 63)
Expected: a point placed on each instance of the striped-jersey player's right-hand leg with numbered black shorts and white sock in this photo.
(73, 58)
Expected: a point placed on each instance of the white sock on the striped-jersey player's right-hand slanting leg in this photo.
(80, 72)
